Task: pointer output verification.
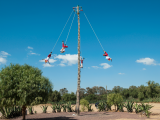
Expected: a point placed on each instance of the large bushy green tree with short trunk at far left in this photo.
(25, 86)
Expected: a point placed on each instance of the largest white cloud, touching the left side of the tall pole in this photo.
(67, 59)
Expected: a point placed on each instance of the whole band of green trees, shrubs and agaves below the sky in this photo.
(26, 87)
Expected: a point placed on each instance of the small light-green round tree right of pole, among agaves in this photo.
(114, 99)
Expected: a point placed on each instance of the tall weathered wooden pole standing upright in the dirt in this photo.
(78, 86)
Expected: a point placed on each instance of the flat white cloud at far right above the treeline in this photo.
(146, 61)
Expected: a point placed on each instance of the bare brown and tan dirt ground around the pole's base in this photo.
(95, 115)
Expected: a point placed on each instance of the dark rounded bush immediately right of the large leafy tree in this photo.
(55, 96)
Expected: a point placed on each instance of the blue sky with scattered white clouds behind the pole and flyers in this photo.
(129, 31)
